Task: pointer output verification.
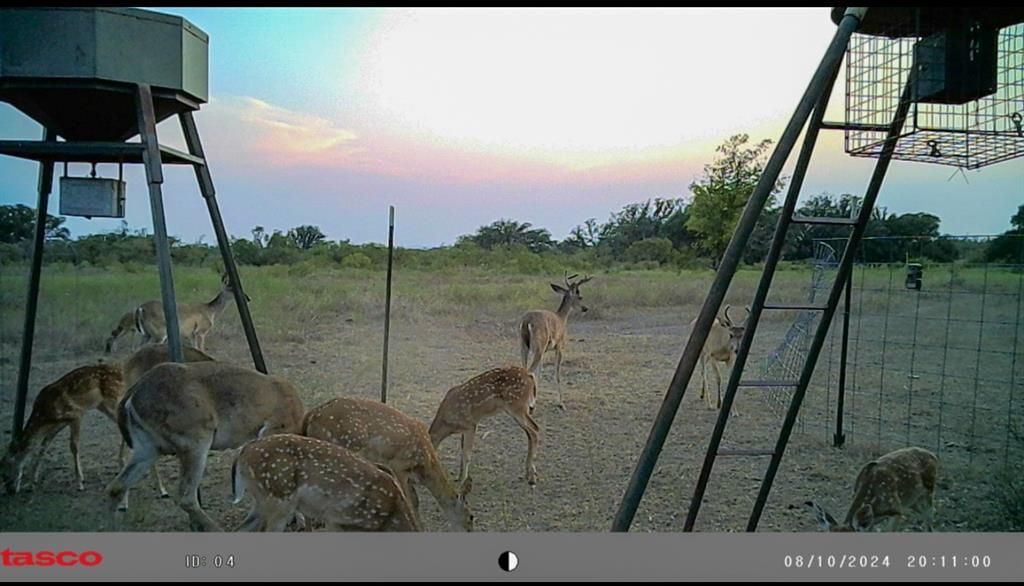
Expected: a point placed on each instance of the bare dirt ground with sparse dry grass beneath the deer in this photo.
(616, 372)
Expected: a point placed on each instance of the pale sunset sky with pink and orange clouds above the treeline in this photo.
(461, 117)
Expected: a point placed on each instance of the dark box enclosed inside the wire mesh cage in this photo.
(956, 66)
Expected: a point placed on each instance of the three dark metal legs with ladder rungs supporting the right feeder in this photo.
(816, 98)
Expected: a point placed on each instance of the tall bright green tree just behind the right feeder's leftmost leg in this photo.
(720, 195)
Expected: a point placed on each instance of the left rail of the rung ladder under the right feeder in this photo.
(775, 254)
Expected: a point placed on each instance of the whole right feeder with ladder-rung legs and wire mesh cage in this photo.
(929, 85)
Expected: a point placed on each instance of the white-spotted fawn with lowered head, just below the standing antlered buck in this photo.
(513, 390)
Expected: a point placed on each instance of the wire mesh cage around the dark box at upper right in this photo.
(977, 133)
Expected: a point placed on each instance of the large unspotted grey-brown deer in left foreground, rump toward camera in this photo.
(186, 410)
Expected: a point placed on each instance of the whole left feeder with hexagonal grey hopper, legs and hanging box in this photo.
(97, 78)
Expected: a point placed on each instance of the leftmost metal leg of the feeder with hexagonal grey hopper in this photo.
(29, 333)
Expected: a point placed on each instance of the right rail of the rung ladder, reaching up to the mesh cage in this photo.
(846, 267)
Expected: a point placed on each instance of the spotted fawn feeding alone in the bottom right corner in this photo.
(886, 488)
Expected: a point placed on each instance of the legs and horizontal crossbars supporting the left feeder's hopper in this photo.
(152, 155)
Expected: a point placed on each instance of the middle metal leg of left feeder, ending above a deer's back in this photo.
(155, 177)
